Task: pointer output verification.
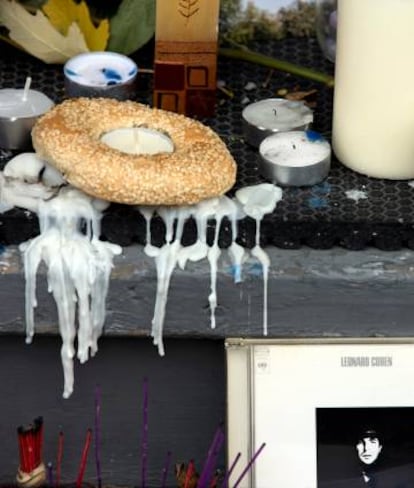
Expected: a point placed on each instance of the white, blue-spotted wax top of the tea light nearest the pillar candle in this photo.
(294, 149)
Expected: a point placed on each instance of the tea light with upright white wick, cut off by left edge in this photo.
(19, 110)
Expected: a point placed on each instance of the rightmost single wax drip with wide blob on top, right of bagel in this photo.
(257, 201)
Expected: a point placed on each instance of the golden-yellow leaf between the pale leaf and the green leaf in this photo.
(63, 13)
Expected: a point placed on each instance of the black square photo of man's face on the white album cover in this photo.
(365, 447)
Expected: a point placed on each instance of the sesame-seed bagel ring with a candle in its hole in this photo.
(69, 138)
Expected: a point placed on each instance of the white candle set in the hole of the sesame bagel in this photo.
(138, 140)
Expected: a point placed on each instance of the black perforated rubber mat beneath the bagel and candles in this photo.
(320, 217)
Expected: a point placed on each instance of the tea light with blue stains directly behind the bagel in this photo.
(101, 74)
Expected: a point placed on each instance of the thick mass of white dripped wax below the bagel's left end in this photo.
(78, 263)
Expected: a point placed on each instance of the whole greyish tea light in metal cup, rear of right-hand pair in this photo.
(272, 115)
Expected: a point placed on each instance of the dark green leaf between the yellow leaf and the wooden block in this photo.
(132, 26)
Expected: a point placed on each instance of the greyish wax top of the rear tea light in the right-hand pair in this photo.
(277, 114)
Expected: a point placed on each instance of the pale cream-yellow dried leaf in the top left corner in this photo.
(35, 34)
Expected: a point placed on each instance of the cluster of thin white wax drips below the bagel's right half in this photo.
(255, 201)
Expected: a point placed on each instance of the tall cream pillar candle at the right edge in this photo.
(373, 118)
